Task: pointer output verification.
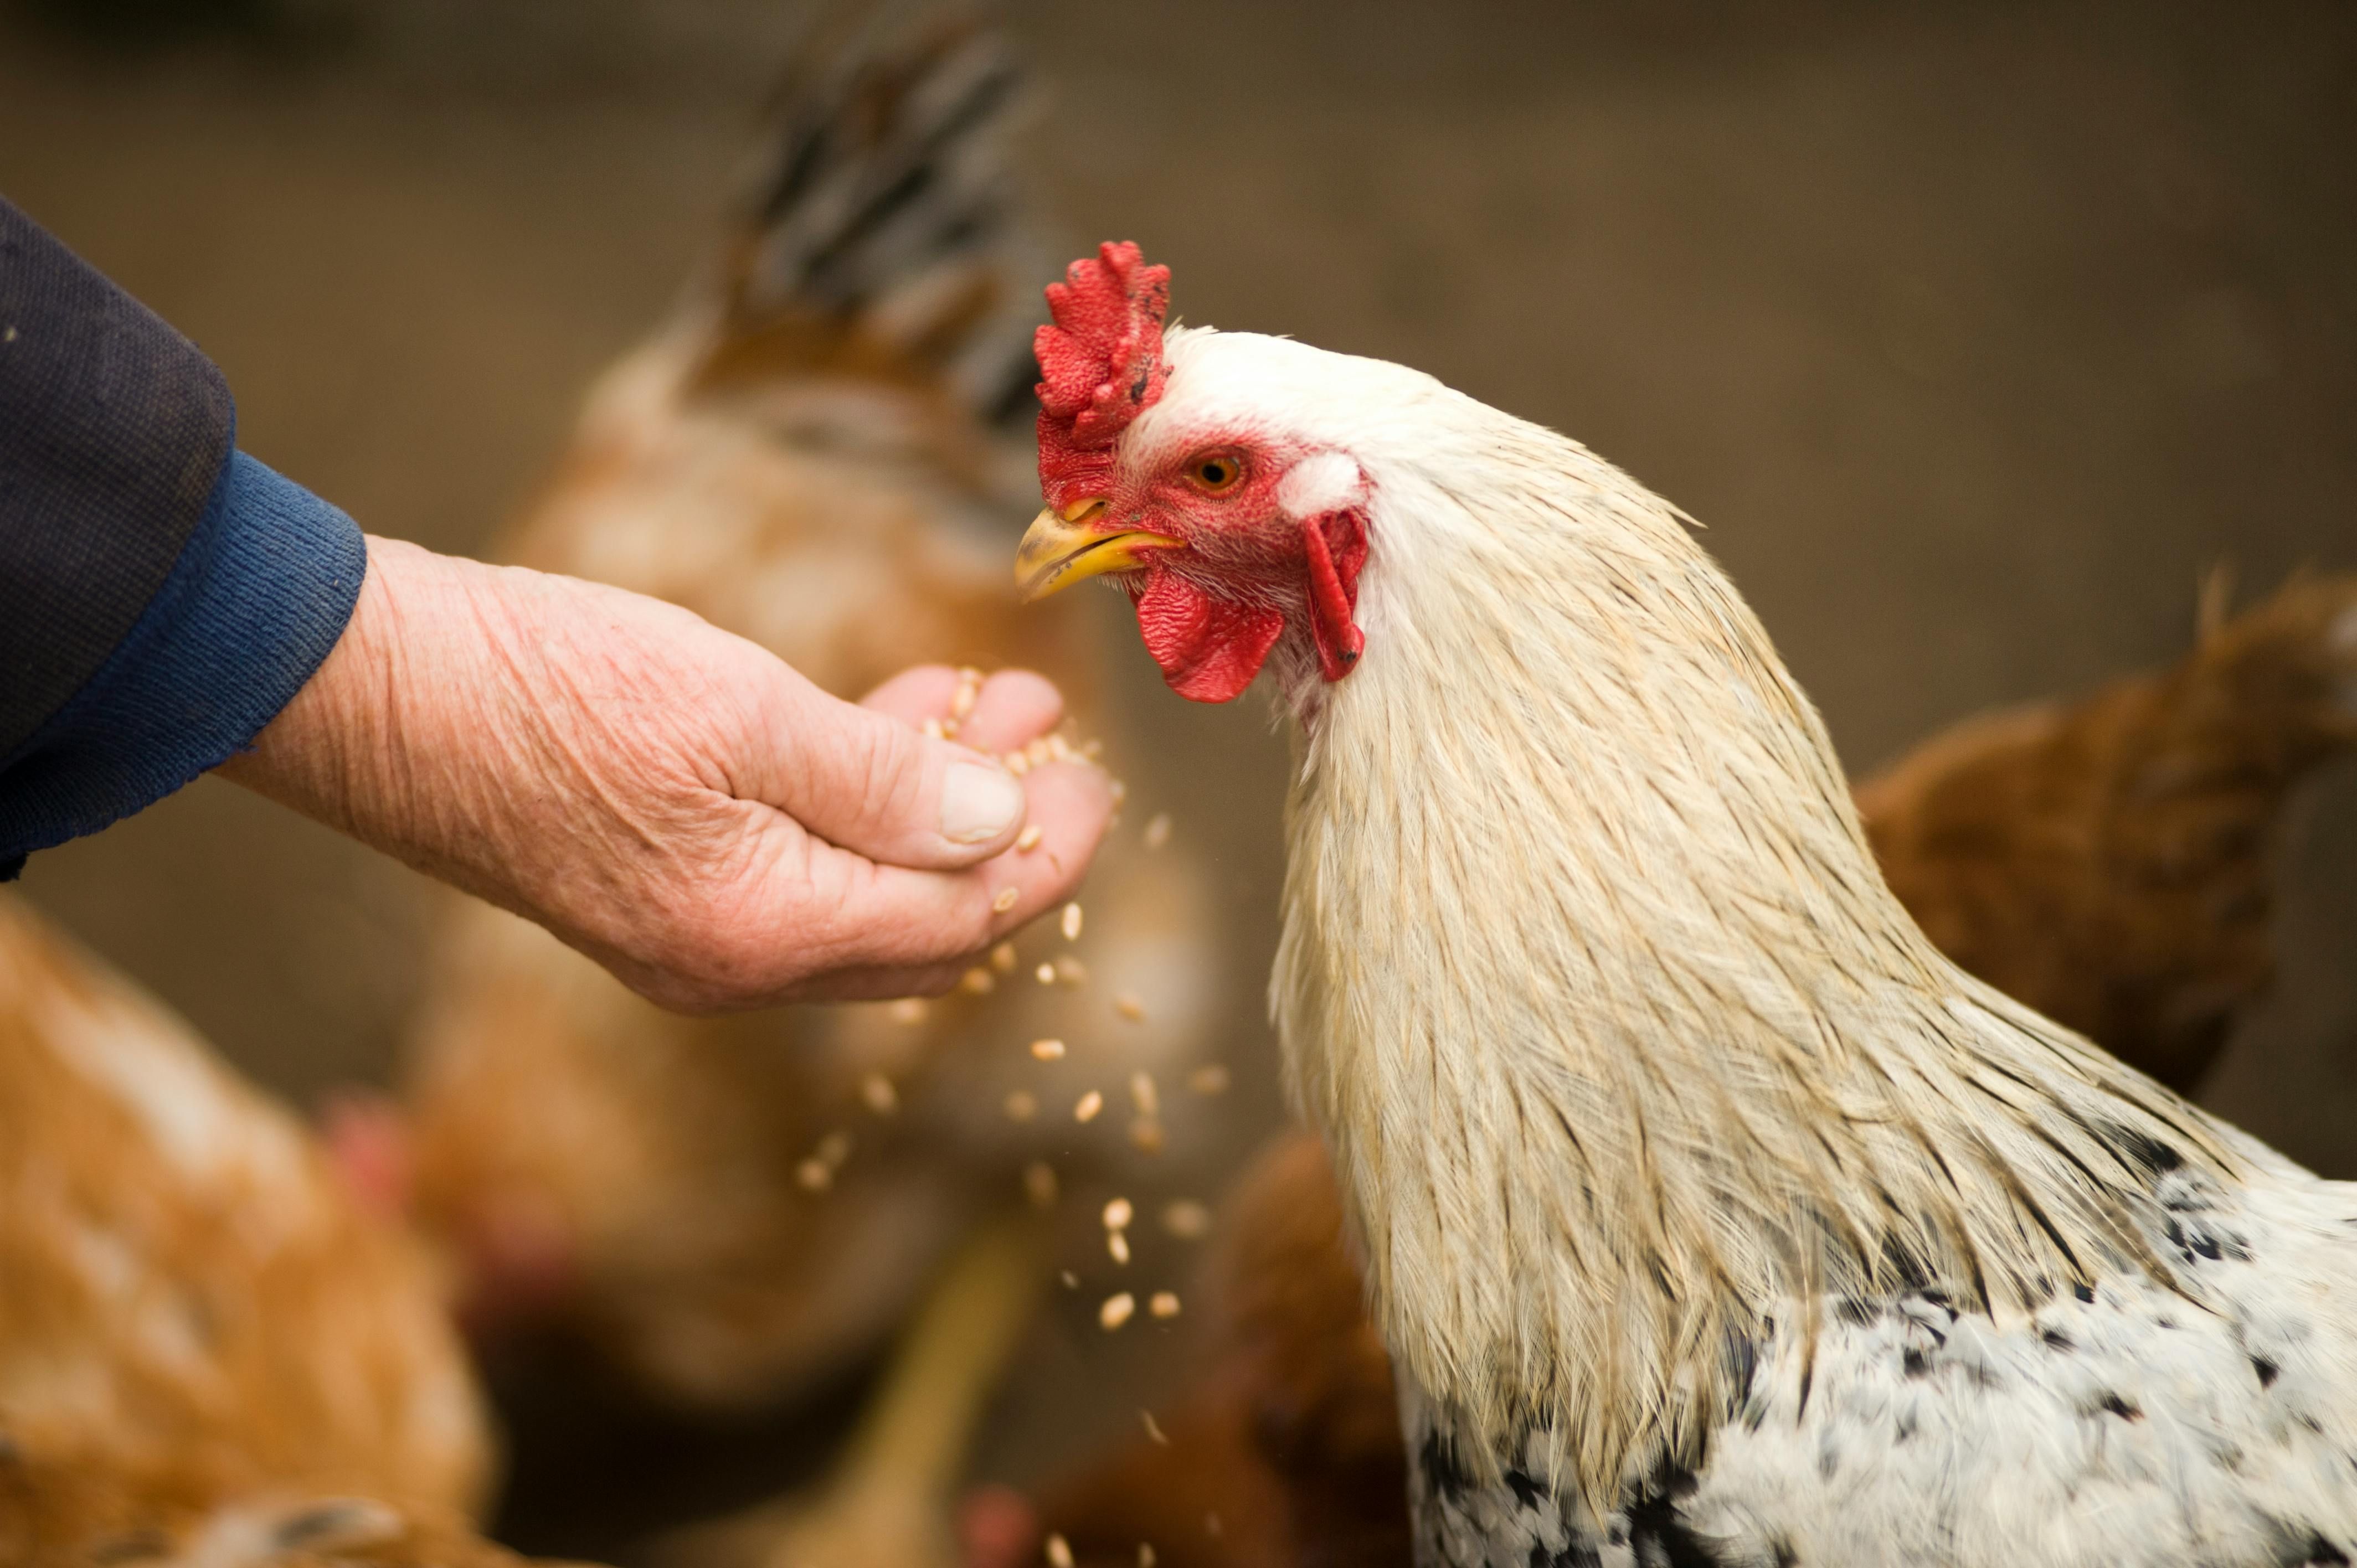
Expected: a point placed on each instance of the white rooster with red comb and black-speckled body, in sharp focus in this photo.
(1710, 1213)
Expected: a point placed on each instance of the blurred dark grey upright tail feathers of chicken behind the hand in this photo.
(883, 230)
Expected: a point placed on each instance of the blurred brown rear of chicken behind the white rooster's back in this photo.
(2108, 862)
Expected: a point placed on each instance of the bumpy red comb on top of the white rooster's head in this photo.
(1100, 367)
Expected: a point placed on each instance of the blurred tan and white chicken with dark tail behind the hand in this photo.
(734, 1208)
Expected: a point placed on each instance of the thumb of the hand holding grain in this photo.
(876, 786)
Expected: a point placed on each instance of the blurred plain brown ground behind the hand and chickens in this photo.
(1974, 334)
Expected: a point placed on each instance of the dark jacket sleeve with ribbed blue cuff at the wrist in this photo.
(161, 595)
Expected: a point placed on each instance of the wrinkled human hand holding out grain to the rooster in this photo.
(675, 801)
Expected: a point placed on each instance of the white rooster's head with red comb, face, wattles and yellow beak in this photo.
(1227, 522)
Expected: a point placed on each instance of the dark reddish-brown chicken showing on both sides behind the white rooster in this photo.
(2101, 859)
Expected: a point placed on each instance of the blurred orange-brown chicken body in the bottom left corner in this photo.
(209, 1355)
